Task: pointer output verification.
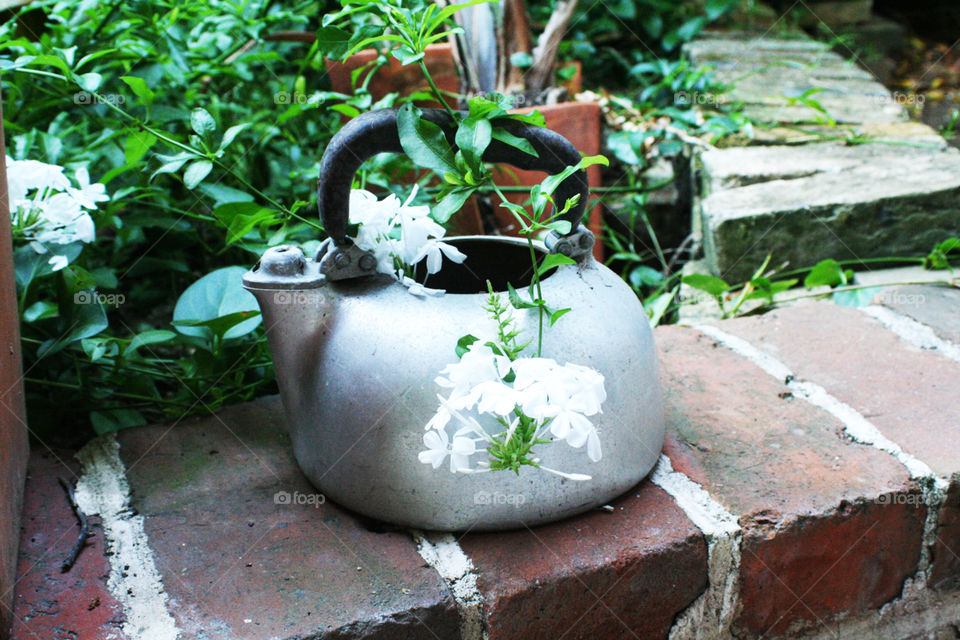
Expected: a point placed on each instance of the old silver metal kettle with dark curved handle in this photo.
(356, 355)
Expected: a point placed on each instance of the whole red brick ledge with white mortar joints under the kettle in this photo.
(809, 489)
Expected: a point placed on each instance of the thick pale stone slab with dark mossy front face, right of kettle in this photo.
(829, 200)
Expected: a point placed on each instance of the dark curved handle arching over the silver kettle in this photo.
(376, 132)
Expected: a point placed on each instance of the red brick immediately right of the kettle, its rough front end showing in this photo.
(813, 506)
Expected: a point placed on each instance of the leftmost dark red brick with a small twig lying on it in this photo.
(50, 604)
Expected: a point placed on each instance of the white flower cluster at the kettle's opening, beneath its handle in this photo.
(400, 236)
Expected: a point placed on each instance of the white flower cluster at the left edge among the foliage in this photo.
(46, 208)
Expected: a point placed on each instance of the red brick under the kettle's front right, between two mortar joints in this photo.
(624, 574)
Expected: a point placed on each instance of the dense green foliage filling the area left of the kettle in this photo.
(207, 146)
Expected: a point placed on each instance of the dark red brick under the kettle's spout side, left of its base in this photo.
(229, 553)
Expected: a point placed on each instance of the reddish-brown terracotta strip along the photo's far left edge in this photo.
(14, 446)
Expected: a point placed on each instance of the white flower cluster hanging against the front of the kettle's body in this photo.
(530, 398)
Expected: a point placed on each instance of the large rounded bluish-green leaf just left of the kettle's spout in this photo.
(215, 295)
